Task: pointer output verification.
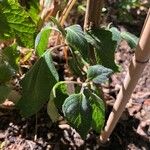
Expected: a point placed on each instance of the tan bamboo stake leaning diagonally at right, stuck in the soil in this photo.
(138, 63)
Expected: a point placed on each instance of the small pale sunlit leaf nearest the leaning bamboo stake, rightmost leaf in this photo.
(130, 38)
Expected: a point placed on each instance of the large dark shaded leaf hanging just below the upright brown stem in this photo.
(105, 45)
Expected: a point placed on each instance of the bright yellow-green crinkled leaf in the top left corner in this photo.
(16, 23)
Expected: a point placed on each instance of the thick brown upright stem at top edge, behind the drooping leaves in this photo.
(93, 14)
